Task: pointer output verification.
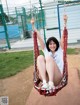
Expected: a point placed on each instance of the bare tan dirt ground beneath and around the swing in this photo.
(19, 88)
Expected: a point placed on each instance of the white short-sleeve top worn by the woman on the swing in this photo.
(57, 56)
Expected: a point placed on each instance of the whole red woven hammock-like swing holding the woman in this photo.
(37, 80)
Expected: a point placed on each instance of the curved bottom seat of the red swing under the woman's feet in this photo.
(63, 83)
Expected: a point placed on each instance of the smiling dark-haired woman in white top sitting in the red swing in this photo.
(50, 65)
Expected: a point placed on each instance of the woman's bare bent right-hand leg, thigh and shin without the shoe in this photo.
(53, 71)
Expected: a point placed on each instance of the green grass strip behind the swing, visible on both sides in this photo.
(12, 63)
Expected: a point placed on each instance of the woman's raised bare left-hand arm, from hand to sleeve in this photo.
(38, 35)
